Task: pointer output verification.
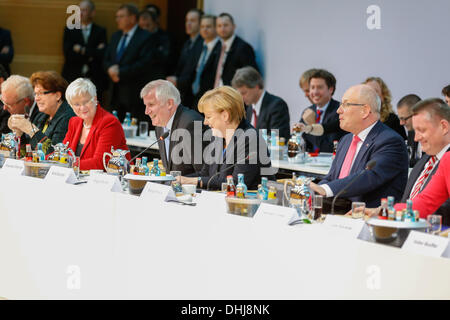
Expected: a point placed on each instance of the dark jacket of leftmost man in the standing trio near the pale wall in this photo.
(186, 67)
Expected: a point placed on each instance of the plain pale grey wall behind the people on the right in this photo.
(411, 51)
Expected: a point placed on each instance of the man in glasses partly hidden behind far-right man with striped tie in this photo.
(404, 110)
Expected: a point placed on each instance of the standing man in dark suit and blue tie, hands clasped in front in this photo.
(127, 62)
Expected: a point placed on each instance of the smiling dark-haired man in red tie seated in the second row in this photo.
(320, 122)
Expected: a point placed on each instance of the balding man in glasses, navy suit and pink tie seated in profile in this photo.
(368, 140)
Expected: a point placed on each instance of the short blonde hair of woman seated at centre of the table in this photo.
(224, 99)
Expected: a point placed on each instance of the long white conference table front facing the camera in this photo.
(62, 241)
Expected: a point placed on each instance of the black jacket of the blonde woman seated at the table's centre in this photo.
(253, 169)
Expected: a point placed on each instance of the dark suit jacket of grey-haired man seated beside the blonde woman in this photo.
(186, 155)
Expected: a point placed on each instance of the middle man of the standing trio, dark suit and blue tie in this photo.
(198, 76)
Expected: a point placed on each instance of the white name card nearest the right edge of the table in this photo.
(426, 244)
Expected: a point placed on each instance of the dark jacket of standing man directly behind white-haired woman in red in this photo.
(93, 57)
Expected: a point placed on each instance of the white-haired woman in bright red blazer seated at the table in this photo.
(94, 130)
